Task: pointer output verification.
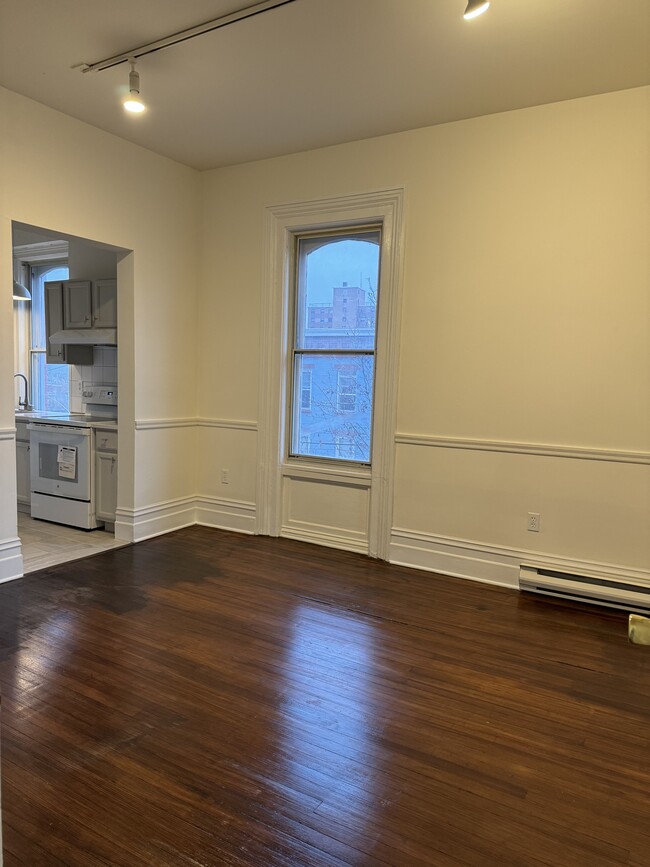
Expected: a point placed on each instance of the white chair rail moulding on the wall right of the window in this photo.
(524, 448)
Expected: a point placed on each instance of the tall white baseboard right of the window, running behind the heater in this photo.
(491, 564)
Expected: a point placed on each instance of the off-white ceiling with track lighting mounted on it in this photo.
(315, 72)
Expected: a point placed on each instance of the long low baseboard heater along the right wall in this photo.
(613, 592)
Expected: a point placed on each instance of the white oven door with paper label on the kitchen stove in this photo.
(59, 460)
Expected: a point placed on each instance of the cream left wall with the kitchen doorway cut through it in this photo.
(60, 174)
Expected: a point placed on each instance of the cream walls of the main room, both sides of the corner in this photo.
(523, 376)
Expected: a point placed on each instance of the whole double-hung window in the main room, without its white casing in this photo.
(332, 356)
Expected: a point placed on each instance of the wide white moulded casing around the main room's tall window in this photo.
(282, 223)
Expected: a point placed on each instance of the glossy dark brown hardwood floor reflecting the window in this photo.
(205, 698)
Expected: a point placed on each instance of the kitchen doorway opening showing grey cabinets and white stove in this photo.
(53, 383)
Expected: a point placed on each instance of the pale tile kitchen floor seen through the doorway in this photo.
(45, 544)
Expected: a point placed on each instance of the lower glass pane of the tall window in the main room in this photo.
(337, 423)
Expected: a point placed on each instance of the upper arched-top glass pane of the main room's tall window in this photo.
(336, 303)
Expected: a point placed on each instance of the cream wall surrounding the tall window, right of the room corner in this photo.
(524, 371)
